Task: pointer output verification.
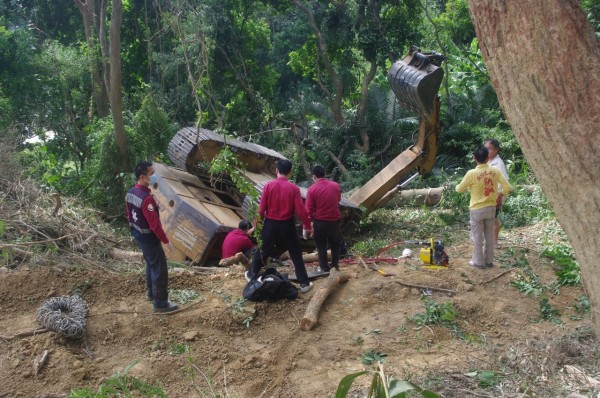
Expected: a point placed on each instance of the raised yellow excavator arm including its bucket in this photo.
(415, 80)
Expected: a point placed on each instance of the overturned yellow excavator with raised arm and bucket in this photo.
(198, 211)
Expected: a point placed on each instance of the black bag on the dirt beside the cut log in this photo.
(270, 286)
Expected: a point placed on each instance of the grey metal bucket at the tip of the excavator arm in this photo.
(416, 80)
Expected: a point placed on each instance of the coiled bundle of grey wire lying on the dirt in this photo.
(65, 315)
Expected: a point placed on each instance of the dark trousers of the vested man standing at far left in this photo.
(157, 274)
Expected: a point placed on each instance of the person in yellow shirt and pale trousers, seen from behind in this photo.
(483, 182)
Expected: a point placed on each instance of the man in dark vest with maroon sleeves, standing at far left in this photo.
(145, 226)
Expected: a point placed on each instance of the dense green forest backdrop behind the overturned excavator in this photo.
(248, 68)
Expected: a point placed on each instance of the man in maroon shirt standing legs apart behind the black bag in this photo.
(279, 201)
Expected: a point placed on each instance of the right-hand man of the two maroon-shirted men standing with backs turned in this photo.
(322, 206)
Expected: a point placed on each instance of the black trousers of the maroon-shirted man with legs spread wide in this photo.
(280, 233)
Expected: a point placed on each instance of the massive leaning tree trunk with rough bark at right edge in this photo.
(544, 62)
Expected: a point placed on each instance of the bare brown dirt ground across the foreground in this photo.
(205, 350)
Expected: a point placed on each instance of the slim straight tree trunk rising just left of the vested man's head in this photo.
(116, 101)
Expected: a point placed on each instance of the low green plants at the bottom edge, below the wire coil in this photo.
(121, 385)
